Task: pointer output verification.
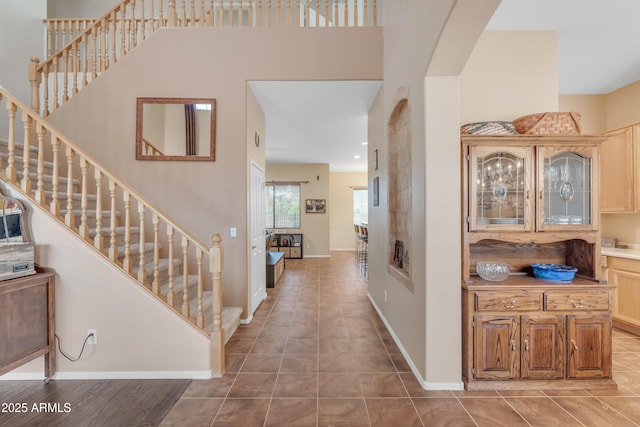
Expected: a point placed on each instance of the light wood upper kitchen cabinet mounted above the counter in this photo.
(620, 176)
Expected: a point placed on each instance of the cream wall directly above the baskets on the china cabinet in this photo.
(503, 81)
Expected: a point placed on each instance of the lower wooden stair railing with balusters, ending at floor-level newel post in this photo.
(114, 220)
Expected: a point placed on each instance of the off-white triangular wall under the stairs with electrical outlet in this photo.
(138, 335)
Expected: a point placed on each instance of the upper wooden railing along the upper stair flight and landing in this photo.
(81, 49)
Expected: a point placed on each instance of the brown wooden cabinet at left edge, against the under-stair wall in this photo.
(27, 321)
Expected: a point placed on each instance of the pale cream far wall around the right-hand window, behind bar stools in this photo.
(342, 234)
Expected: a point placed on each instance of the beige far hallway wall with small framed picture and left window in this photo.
(313, 226)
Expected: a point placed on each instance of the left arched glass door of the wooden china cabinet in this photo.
(499, 188)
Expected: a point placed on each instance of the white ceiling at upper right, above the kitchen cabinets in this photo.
(598, 41)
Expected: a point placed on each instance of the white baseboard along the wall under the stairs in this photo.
(123, 375)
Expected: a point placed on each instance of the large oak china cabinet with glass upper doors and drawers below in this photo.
(533, 199)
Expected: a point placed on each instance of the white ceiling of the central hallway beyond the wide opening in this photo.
(317, 121)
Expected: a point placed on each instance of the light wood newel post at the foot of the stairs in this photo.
(216, 255)
